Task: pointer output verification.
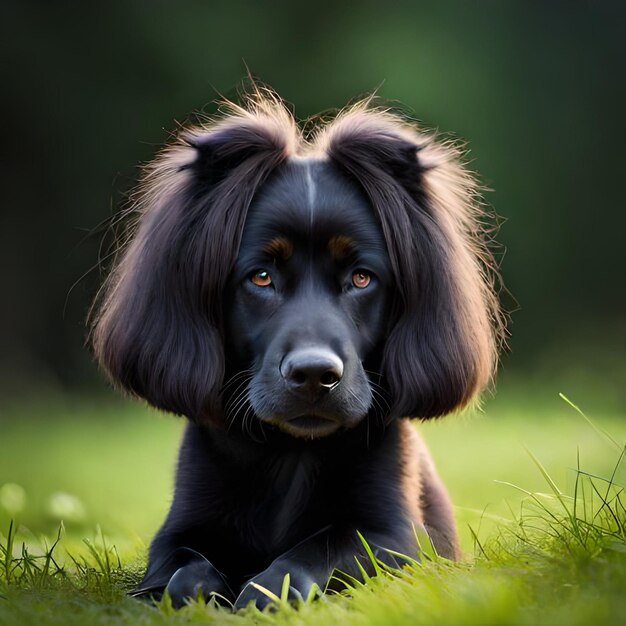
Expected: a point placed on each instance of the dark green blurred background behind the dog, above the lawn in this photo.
(537, 89)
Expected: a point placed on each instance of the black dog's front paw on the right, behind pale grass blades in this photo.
(263, 589)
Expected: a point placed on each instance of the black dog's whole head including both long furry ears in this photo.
(302, 283)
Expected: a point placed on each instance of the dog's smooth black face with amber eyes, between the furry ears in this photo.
(308, 301)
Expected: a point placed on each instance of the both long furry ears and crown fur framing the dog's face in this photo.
(157, 325)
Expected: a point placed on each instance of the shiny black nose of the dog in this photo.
(311, 371)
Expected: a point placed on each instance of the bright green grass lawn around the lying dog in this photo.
(539, 503)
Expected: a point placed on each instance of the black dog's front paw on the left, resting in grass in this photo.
(194, 579)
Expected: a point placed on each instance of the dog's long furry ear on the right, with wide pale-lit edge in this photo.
(442, 349)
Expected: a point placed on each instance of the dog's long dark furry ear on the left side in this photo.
(156, 327)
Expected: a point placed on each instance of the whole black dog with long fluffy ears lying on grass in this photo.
(296, 299)
